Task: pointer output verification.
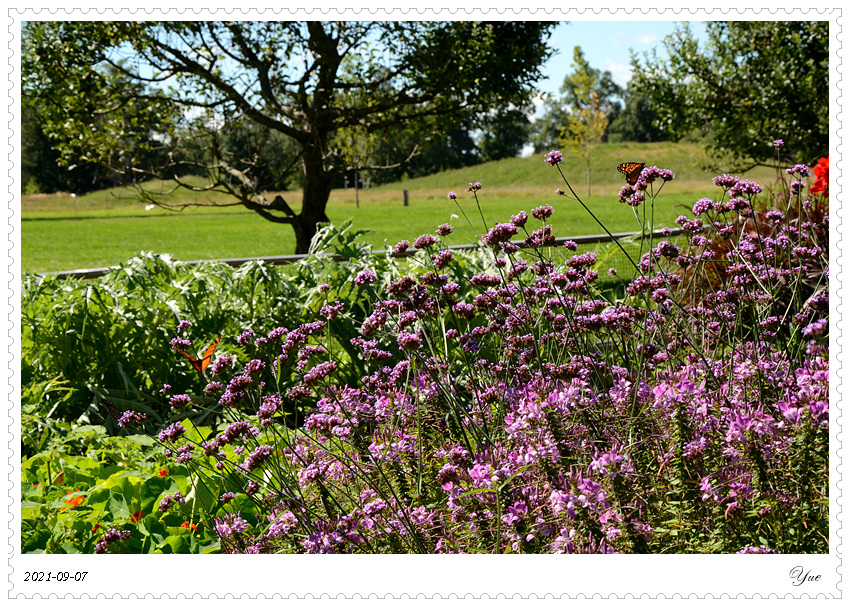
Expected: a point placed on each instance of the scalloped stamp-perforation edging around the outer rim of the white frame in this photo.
(836, 90)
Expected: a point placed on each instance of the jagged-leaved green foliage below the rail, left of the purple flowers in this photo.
(110, 338)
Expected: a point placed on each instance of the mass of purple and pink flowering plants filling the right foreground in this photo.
(528, 409)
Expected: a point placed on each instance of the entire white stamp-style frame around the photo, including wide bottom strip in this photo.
(429, 576)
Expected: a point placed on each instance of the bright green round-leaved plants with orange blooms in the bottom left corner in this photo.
(85, 483)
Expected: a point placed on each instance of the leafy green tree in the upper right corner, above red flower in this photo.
(750, 83)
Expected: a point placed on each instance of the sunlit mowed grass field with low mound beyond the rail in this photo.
(61, 232)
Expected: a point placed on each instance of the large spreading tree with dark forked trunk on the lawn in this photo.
(329, 87)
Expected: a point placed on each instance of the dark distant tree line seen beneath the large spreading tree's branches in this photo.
(466, 142)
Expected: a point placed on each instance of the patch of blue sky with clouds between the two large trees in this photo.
(606, 46)
